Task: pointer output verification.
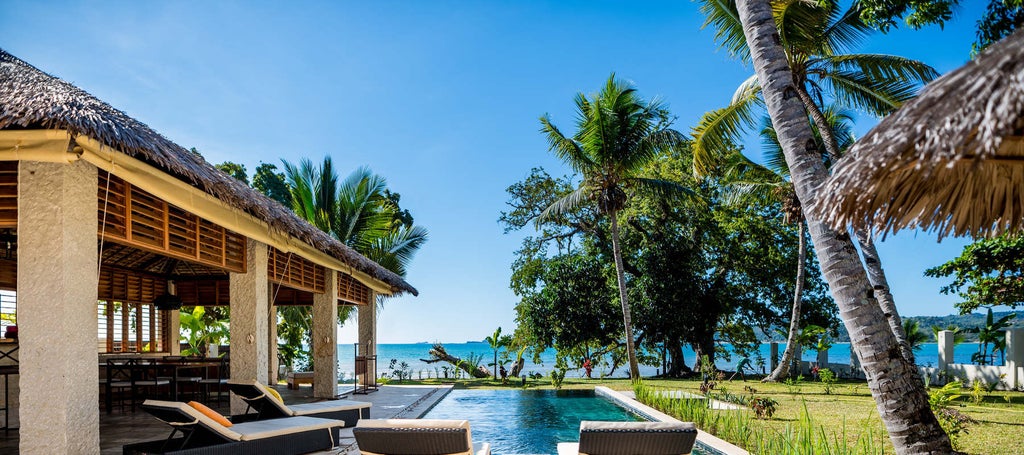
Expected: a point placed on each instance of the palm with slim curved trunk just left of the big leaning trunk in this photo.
(749, 183)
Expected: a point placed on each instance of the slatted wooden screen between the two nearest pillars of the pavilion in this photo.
(135, 218)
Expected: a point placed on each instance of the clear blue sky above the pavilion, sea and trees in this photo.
(443, 99)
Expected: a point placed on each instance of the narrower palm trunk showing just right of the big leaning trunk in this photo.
(873, 264)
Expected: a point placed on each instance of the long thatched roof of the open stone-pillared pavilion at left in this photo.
(33, 100)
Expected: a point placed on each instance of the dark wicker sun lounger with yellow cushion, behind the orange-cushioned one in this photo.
(260, 399)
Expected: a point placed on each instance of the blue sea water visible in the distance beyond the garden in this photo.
(414, 353)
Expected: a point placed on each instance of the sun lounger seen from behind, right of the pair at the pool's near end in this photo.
(632, 439)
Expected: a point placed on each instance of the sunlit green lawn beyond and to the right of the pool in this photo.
(848, 413)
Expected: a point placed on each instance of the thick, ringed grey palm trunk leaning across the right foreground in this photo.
(899, 391)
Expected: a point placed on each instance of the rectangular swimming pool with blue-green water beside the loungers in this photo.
(528, 422)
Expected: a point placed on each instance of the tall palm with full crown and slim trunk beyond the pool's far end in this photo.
(618, 134)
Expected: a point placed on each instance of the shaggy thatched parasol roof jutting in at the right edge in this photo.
(952, 160)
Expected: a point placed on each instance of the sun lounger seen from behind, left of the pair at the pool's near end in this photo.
(417, 437)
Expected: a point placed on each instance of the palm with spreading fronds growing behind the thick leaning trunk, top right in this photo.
(817, 37)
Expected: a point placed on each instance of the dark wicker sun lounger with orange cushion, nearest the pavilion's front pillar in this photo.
(203, 435)
